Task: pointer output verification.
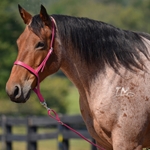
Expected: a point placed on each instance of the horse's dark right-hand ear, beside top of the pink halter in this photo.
(45, 17)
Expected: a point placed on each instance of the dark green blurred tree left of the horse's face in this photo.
(9, 31)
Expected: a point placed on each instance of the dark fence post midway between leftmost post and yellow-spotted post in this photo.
(31, 145)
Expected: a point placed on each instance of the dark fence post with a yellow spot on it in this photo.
(63, 144)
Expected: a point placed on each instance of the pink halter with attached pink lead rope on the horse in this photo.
(37, 88)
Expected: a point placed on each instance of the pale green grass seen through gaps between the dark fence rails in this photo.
(78, 144)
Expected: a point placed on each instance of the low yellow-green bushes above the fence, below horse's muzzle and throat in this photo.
(55, 91)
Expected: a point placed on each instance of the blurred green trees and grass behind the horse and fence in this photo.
(59, 92)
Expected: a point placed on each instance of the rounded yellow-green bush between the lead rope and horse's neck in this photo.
(59, 89)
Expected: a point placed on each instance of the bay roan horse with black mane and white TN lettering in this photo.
(109, 66)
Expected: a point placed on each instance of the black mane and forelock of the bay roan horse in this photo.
(99, 43)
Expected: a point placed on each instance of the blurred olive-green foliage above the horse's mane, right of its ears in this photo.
(125, 14)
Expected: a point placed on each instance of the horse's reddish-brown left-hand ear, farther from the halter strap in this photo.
(25, 15)
